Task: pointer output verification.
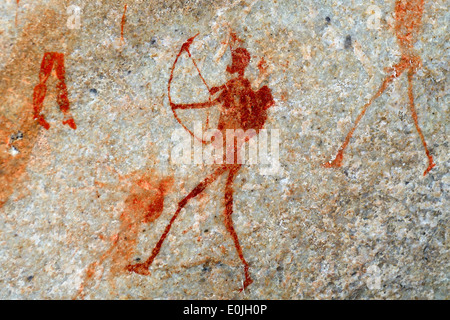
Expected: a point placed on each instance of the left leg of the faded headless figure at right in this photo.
(395, 72)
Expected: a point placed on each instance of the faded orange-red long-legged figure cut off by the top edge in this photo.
(408, 19)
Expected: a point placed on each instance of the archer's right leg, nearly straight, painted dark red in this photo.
(229, 223)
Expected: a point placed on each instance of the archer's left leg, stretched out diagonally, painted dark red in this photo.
(142, 268)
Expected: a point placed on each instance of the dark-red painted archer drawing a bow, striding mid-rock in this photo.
(242, 108)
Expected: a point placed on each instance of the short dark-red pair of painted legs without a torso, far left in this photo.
(52, 60)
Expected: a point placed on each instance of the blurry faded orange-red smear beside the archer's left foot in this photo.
(144, 204)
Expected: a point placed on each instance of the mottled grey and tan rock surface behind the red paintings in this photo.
(78, 206)
